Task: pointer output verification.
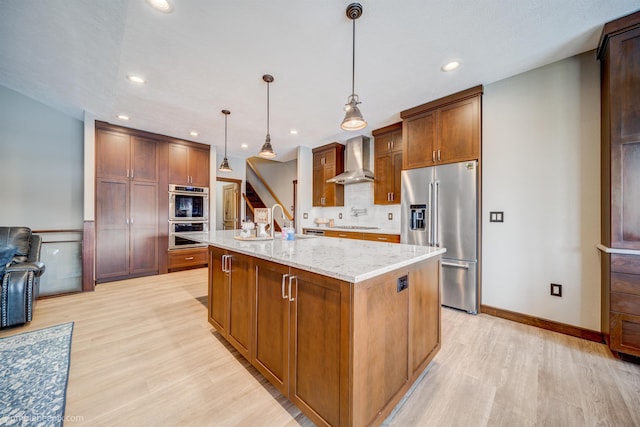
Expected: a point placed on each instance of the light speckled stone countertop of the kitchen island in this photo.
(345, 259)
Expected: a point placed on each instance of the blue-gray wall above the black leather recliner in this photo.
(42, 165)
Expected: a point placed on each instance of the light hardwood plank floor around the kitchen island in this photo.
(143, 353)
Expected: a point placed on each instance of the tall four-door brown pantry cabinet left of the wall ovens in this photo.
(127, 177)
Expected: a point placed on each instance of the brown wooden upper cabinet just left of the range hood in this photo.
(328, 161)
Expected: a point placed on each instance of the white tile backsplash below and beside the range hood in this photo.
(358, 196)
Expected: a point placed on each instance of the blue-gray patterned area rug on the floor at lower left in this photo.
(34, 370)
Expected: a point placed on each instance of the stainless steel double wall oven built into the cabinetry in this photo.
(188, 211)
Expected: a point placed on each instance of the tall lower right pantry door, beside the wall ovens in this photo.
(143, 223)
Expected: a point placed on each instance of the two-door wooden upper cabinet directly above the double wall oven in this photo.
(188, 165)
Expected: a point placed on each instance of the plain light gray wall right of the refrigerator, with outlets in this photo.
(541, 166)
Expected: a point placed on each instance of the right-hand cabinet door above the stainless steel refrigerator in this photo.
(459, 131)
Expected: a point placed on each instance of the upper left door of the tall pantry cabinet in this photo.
(112, 154)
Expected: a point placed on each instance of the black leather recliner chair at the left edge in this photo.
(21, 277)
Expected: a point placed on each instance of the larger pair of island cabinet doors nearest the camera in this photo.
(302, 338)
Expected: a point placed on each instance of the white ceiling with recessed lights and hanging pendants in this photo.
(210, 55)
